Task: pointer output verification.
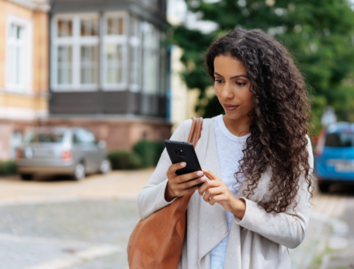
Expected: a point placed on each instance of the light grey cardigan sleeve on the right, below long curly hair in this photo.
(288, 228)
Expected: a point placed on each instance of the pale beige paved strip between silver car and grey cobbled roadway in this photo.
(124, 184)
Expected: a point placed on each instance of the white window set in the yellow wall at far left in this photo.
(18, 54)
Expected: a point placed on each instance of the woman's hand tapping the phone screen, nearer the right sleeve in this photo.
(216, 191)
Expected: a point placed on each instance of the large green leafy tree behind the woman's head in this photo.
(319, 34)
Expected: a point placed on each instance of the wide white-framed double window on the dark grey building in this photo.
(75, 52)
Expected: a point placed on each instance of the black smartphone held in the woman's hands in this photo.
(183, 152)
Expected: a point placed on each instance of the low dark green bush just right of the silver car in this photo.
(124, 160)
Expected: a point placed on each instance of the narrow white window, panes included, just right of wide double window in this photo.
(114, 51)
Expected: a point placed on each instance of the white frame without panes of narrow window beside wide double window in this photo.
(117, 39)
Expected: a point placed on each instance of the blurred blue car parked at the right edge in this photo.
(334, 155)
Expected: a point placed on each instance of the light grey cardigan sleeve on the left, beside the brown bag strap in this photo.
(152, 197)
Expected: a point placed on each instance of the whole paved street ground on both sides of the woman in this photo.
(59, 223)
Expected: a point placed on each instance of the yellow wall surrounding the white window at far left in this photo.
(40, 59)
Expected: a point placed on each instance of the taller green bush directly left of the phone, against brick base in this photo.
(149, 151)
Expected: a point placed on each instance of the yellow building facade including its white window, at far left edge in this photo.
(24, 58)
